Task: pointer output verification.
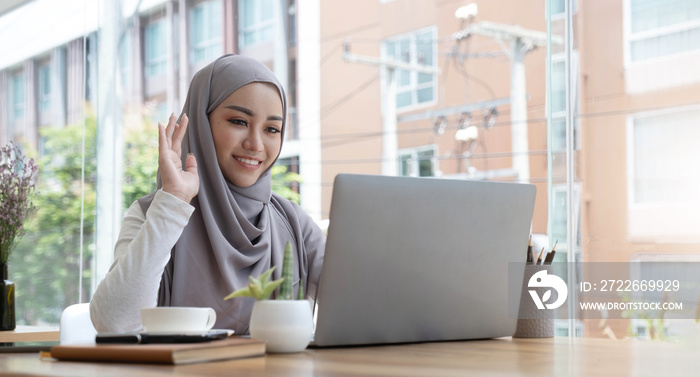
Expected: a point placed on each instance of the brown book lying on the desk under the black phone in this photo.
(176, 354)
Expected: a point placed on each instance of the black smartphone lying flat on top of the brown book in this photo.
(150, 338)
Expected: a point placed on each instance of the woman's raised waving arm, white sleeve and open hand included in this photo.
(145, 241)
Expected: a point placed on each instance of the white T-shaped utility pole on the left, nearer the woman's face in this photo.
(389, 67)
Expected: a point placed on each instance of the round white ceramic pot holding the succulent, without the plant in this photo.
(286, 325)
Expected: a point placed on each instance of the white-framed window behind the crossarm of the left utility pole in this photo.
(413, 88)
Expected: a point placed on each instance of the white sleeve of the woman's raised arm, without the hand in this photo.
(140, 256)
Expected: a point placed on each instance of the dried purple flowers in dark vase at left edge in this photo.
(17, 186)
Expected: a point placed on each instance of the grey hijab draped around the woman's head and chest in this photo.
(234, 231)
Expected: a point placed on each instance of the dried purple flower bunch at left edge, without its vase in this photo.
(17, 186)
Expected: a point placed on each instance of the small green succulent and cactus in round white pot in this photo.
(285, 324)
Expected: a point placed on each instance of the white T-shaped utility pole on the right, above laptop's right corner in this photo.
(521, 42)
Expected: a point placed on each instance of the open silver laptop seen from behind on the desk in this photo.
(420, 259)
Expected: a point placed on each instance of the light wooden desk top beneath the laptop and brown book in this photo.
(497, 357)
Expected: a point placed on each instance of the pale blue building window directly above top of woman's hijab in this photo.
(206, 31)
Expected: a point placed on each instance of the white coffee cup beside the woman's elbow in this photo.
(172, 319)
